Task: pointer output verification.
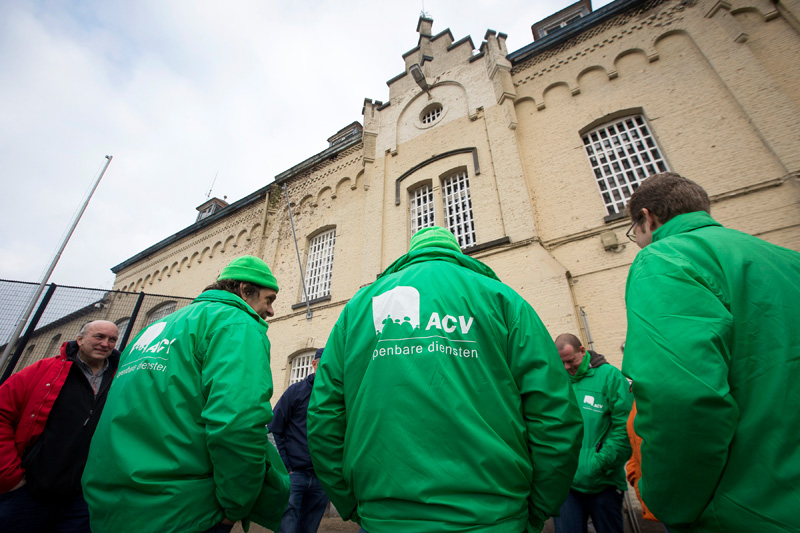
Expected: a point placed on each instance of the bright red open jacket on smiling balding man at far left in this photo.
(26, 400)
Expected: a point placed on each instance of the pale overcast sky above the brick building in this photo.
(181, 91)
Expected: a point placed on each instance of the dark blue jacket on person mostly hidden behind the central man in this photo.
(289, 425)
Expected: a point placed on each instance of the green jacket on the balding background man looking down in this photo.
(605, 400)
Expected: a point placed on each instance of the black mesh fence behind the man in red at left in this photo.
(61, 311)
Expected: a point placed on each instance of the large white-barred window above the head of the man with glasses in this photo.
(622, 154)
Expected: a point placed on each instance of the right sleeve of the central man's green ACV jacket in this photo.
(551, 414)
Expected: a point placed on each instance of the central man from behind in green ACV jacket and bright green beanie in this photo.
(441, 403)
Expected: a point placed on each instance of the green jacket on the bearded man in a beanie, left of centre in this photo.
(182, 442)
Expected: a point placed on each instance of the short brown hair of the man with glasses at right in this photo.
(668, 195)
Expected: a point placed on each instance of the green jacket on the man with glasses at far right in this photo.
(712, 348)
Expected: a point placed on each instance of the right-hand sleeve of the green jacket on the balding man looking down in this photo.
(616, 448)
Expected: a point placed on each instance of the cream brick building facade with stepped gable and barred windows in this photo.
(529, 157)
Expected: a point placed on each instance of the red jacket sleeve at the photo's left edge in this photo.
(12, 398)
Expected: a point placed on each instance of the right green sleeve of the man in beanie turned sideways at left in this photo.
(237, 380)
